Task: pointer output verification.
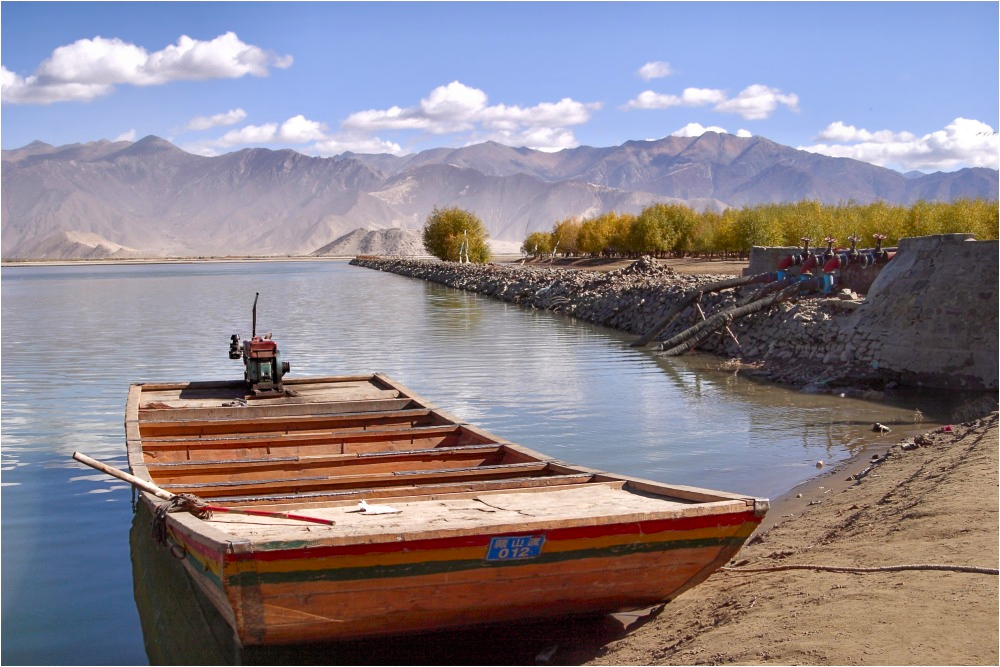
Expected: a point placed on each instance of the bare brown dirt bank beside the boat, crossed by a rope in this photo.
(935, 503)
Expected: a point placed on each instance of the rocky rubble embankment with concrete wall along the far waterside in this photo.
(840, 342)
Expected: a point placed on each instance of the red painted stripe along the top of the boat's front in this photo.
(582, 532)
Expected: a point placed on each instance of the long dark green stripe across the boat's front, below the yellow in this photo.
(441, 567)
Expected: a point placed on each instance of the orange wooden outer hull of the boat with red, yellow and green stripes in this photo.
(293, 593)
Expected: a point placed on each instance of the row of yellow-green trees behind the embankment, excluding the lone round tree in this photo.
(665, 230)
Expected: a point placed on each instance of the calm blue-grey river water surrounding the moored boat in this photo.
(73, 338)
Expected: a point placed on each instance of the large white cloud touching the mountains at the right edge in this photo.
(962, 143)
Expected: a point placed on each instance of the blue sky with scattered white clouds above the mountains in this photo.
(900, 84)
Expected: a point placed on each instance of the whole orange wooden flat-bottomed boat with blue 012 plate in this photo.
(481, 530)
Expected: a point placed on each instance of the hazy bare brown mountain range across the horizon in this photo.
(150, 198)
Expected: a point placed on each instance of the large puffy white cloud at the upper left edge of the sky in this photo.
(90, 68)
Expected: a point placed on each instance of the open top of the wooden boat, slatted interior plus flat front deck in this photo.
(330, 443)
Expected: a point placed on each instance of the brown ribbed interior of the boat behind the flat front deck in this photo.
(332, 441)
